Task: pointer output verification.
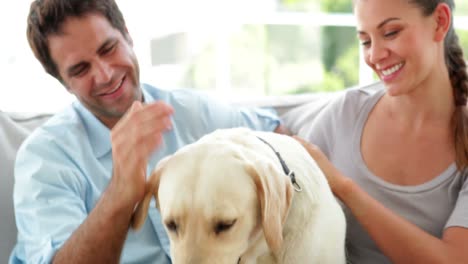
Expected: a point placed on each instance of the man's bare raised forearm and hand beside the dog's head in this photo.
(100, 238)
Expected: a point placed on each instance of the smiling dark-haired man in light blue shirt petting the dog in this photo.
(80, 176)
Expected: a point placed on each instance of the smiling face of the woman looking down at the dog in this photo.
(398, 42)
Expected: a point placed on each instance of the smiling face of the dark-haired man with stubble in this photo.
(97, 64)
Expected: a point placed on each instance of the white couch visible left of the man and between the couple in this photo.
(295, 111)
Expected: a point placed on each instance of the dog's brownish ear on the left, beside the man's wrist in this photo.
(152, 186)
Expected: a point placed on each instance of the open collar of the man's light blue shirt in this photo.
(98, 133)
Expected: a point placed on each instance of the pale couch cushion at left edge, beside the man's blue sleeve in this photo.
(13, 130)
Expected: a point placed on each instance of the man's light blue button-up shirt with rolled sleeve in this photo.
(63, 168)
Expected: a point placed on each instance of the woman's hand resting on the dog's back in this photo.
(335, 179)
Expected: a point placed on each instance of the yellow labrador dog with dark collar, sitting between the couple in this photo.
(228, 199)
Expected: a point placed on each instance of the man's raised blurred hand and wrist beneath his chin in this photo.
(134, 138)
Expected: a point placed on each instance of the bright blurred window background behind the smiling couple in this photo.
(227, 48)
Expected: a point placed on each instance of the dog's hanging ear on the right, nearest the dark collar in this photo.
(275, 194)
